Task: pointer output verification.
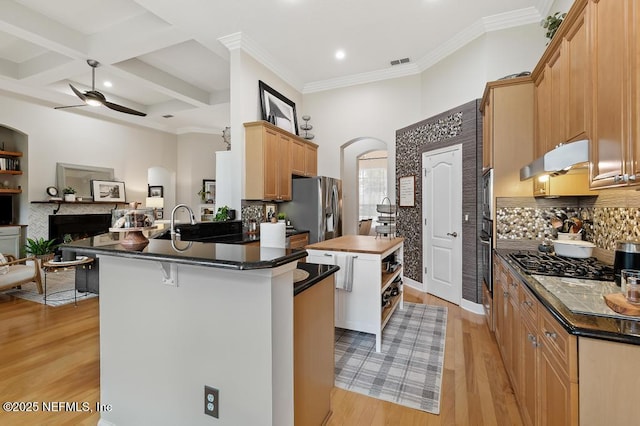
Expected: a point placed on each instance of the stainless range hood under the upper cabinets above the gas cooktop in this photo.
(558, 160)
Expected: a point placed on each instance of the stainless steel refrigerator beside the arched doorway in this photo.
(316, 206)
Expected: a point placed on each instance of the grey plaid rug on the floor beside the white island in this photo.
(408, 370)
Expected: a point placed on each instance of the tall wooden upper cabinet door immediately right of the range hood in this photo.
(610, 21)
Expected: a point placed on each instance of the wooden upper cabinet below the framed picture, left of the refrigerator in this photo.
(268, 162)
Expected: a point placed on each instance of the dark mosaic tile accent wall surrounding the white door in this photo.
(456, 126)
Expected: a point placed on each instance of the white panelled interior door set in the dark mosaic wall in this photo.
(442, 222)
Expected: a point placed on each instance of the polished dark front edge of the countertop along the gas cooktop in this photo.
(593, 326)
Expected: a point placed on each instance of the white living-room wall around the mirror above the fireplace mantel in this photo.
(67, 137)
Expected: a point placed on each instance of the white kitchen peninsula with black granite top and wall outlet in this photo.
(218, 315)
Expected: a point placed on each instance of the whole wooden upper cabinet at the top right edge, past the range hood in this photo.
(615, 93)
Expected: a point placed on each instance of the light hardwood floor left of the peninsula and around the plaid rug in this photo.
(52, 354)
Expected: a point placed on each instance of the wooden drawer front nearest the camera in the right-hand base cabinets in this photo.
(559, 344)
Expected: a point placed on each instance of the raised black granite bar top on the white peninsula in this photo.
(229, 255)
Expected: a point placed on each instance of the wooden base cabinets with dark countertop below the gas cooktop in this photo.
(560, 361)
